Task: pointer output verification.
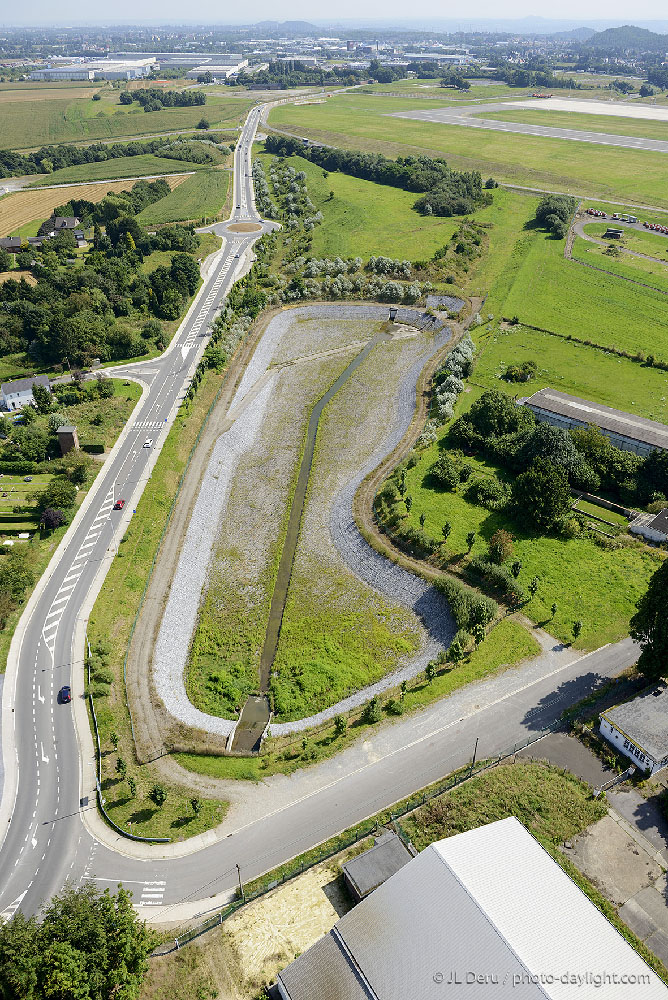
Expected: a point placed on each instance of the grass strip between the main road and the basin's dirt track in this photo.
(111, 622)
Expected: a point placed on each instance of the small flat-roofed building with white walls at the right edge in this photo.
(638, 729)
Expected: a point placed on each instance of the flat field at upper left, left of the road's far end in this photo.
(27, 124)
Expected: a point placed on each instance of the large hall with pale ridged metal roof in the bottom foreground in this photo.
(486, 913)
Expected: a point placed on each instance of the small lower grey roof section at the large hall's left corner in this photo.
(324, 972)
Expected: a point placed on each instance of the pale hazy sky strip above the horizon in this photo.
(215, 12)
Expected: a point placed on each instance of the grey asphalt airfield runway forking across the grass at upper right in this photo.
(467, 116)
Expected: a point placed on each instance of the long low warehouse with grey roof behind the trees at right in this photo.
(625, 430)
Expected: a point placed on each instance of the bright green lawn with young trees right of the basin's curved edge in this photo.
(588, 583)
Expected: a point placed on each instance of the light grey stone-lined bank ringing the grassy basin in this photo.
(180, 617)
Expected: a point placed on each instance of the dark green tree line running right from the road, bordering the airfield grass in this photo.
(449, 191)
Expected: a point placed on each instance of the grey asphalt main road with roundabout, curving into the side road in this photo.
(43, 829)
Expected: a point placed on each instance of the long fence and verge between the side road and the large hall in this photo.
(349, 838)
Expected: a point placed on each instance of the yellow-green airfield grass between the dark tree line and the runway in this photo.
(357, 121)
